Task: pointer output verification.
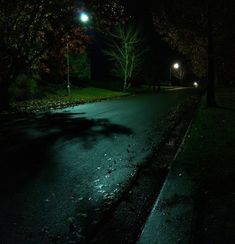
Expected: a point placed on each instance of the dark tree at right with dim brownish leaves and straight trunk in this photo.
(197, 30)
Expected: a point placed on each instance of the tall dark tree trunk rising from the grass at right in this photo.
(211, 101)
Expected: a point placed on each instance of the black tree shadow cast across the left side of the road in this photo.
(26, 146)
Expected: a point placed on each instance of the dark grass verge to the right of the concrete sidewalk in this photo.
(208, 159)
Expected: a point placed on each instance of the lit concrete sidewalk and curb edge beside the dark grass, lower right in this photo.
(170, 220)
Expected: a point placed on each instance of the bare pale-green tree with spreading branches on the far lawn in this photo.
(126, 52)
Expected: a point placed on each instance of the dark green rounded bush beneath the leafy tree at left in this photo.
(25, 87)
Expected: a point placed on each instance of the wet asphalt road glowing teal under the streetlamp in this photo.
(58, 169)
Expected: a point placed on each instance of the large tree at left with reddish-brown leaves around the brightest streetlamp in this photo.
(34, 34)
